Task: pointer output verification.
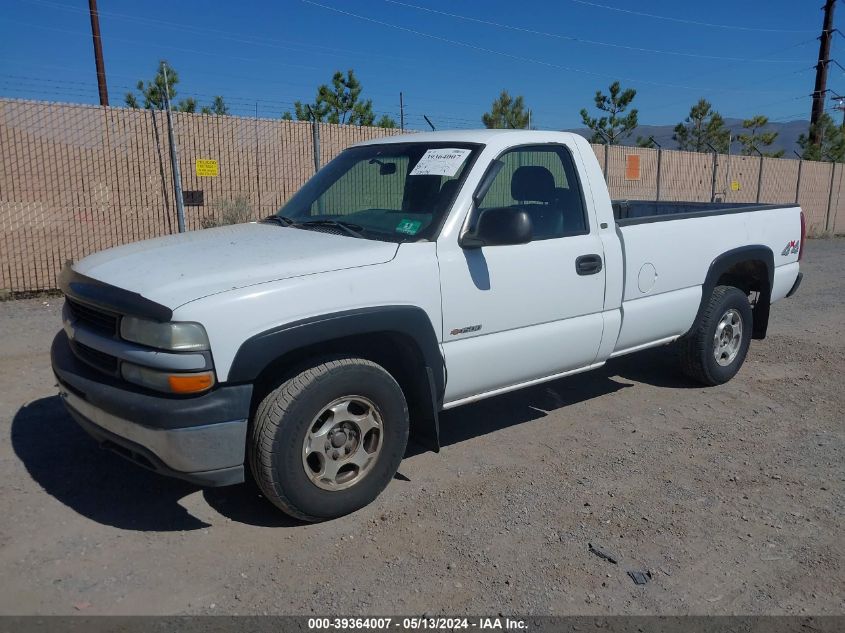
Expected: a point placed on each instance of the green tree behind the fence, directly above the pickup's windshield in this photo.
(340, 103)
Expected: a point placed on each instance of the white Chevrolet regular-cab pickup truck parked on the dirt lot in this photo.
(410, 275)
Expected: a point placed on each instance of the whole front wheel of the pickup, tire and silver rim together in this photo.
(327, 441)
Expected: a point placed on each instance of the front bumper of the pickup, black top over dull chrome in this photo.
(201, 439)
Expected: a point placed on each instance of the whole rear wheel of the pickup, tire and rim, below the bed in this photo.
(713, 353)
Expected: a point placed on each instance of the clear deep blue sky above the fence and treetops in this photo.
(450, 58)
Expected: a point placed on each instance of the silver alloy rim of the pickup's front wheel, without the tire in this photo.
(343, 443)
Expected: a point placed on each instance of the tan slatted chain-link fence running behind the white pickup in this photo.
(76, 179)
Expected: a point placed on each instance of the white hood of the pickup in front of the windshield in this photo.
(176, 269)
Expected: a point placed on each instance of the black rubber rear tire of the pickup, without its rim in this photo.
(697, 348)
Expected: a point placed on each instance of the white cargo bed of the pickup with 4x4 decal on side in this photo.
(665, 262)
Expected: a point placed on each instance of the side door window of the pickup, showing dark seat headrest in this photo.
(542, 181)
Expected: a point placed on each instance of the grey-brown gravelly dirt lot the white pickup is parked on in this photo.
(733, 496)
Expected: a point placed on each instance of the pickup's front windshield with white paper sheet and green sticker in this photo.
(394, 191)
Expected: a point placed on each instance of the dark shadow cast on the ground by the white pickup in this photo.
(106, 488)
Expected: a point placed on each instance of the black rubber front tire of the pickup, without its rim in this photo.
(285, 417)
